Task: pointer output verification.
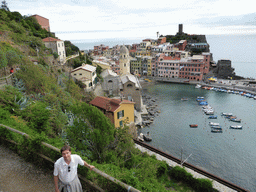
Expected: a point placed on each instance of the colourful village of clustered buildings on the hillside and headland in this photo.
(125, 67)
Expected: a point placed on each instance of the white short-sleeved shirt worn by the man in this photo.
(61, 168)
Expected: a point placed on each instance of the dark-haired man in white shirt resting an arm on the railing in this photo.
(65, 171)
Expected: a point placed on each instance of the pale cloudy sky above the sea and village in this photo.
(103, 19)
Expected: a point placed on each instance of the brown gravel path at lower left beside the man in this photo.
(18, 175)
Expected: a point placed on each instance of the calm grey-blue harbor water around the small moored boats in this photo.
(230, 155)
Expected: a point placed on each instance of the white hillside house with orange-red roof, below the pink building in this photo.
(56, 45)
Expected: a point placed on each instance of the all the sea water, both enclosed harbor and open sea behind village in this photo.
(231, 155)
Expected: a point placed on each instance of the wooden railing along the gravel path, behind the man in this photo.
(110, 178)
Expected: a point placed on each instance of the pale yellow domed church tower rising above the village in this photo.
(124, 61)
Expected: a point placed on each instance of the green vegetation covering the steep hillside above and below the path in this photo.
(47, 105)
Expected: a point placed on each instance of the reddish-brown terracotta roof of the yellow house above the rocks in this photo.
(107, 103)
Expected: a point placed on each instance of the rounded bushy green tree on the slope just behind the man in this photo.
(91, 130)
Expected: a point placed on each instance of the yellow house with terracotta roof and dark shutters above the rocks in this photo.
(119, 111)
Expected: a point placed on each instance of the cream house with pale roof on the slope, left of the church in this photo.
(86, 74)
